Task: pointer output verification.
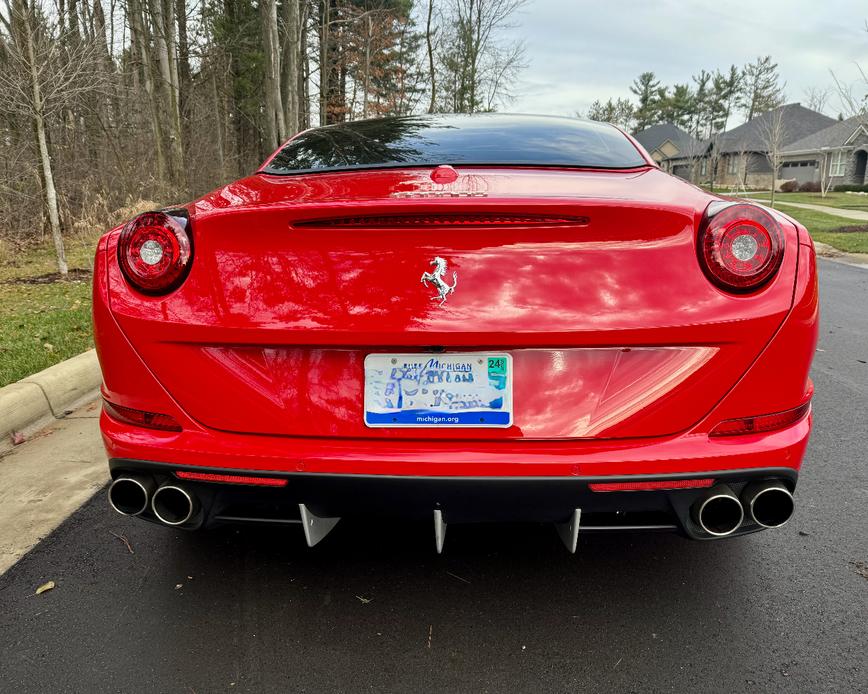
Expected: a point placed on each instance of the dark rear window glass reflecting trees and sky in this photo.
(485, 139)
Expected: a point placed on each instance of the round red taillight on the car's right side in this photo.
(740, 246)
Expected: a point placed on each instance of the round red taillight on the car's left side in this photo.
(155, 252)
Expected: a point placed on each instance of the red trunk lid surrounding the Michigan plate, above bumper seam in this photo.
(586, 279)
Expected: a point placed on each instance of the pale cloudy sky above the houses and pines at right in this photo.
(579, 51)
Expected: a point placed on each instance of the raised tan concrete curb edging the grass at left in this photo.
(35, 401)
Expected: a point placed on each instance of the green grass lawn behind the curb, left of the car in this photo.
(43, 323)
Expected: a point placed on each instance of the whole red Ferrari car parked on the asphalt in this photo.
(464, 318)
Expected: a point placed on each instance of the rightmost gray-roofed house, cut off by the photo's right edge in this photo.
(834, 155)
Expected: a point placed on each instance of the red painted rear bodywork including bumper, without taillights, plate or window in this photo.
(259, 353)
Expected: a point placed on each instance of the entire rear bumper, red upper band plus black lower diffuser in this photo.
(527, 481)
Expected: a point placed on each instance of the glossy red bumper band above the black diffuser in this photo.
(687, 453)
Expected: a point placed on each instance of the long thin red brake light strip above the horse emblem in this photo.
(444, 220)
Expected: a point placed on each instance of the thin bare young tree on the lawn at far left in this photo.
(43, 75)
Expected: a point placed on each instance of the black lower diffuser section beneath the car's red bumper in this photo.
(460, 499)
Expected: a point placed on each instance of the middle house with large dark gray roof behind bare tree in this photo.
(740, 156)
